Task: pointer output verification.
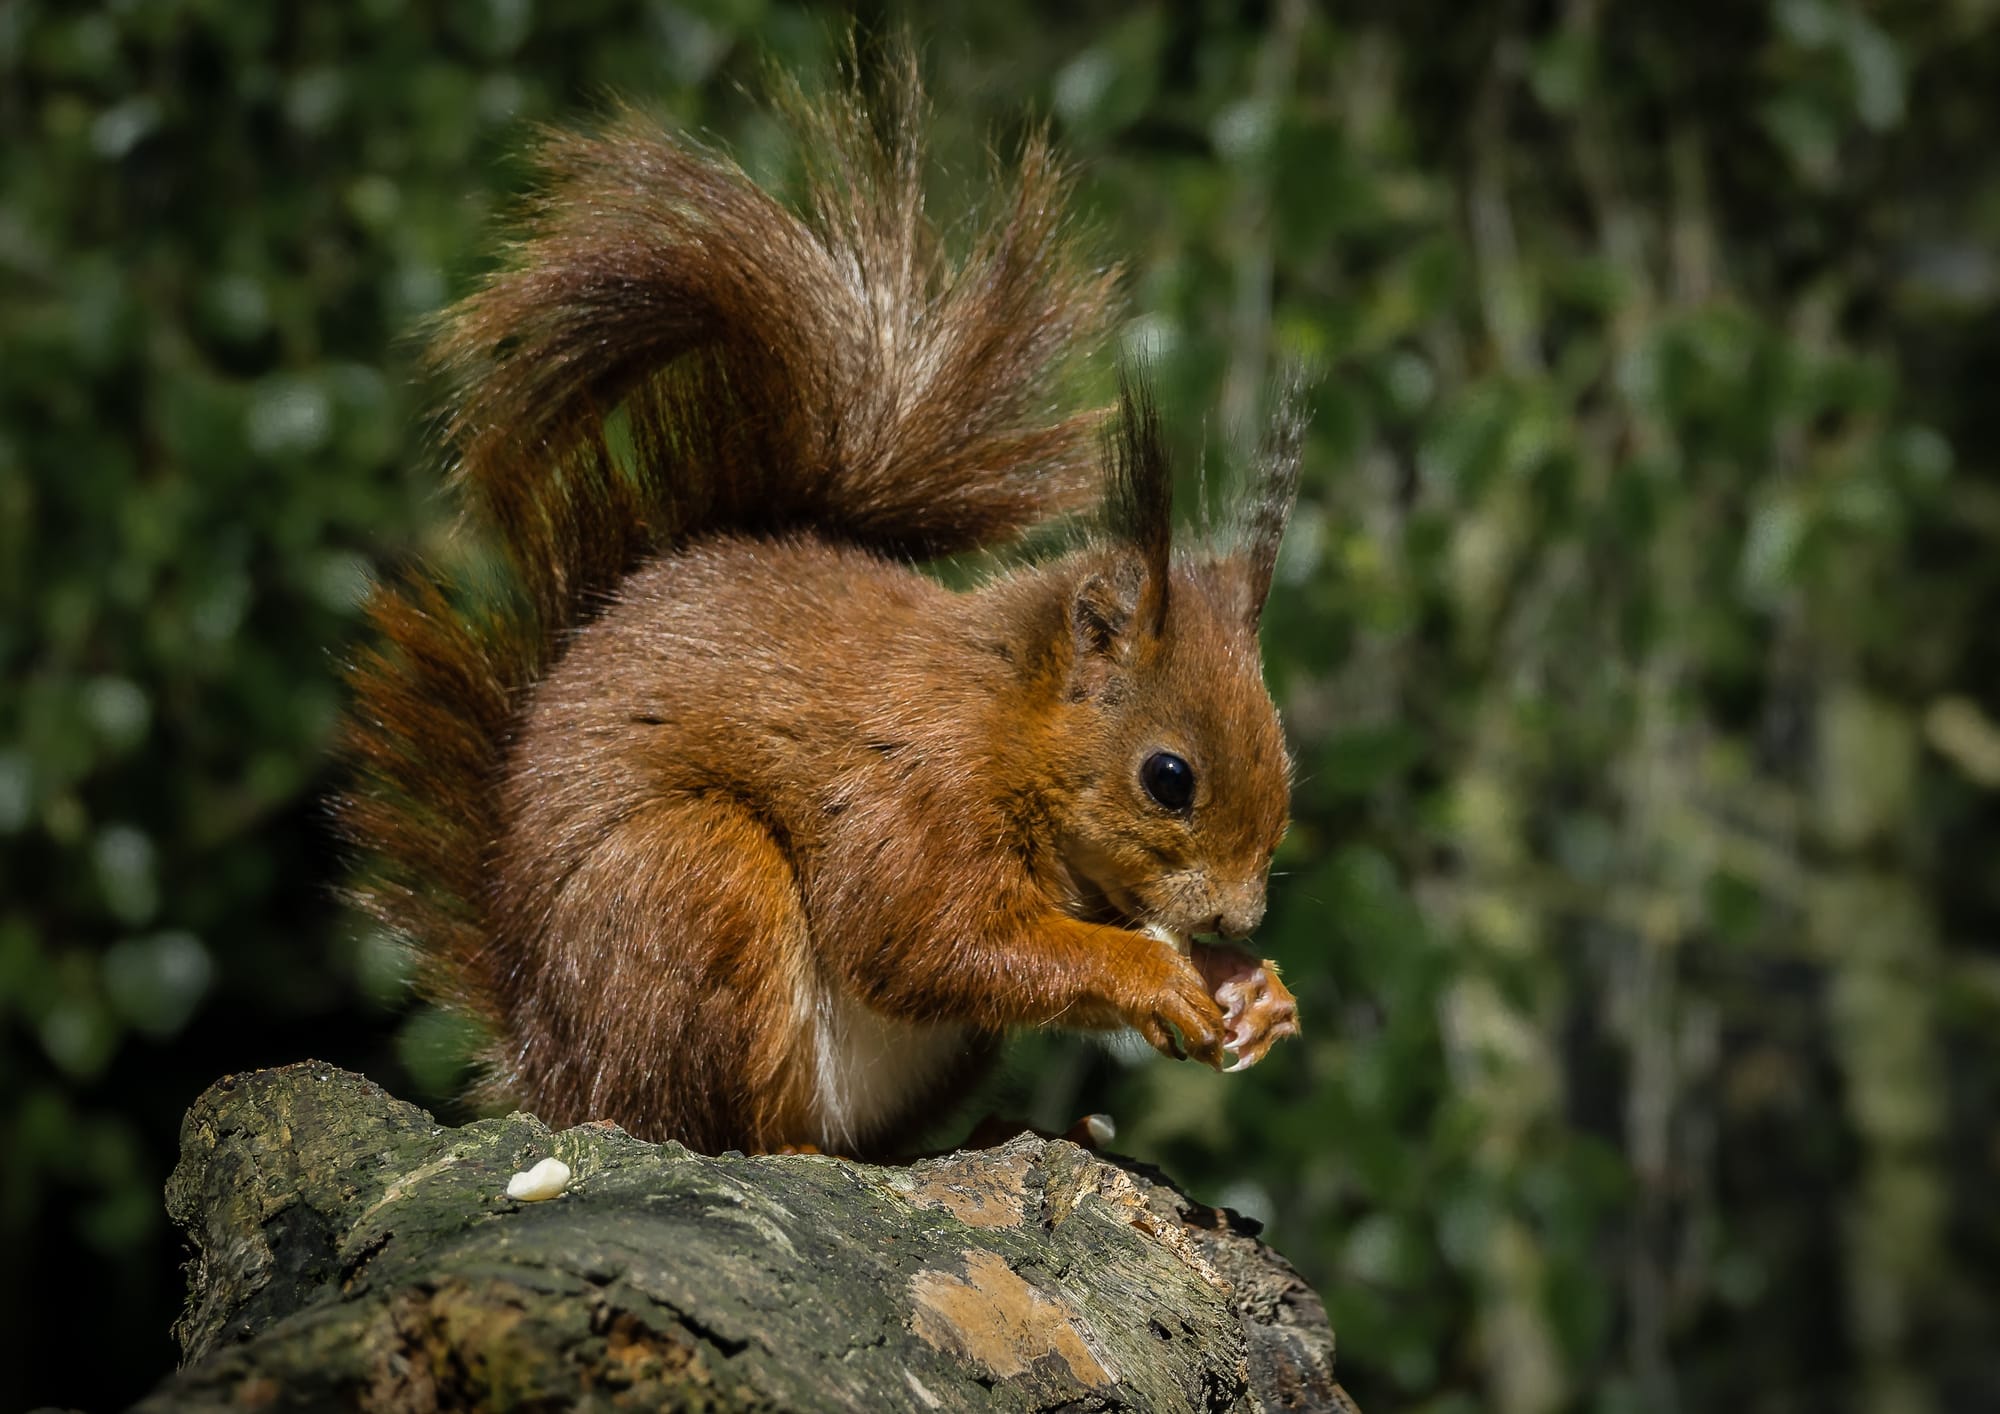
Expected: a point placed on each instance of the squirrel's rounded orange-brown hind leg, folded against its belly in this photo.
(677, 985)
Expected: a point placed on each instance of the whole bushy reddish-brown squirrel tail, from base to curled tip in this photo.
(669, 353)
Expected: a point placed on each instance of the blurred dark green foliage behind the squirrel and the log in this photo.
(1637, 635)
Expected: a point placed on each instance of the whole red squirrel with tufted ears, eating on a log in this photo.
(727, 821)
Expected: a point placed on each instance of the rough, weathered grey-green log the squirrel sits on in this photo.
(353, 1253)
